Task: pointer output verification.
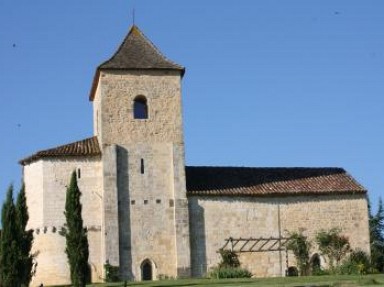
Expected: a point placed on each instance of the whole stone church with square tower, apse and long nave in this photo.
(150, 214)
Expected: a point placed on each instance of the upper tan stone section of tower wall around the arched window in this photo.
(117, 92)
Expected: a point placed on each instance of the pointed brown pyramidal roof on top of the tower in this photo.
(136, 52)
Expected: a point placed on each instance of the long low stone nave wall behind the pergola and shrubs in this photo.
(213, 219)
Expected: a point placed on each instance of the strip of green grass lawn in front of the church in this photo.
(310, 281)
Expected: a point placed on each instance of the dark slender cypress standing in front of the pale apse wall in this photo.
(76, 235)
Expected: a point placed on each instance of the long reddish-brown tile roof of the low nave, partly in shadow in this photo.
(245, 181)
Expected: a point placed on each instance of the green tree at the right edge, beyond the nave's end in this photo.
(376, 229)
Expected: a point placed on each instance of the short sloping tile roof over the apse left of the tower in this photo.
(86, 147)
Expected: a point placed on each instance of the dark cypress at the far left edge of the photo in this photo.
(9, 250)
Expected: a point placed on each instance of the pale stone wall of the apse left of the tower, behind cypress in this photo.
(46, 204)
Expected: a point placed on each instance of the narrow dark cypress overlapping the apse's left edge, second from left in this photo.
(25, 239)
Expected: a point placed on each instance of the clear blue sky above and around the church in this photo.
(268, 83)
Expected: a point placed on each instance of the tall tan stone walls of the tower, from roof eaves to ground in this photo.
(150, 177)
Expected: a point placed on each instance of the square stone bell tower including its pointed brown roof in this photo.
(136, 99)
